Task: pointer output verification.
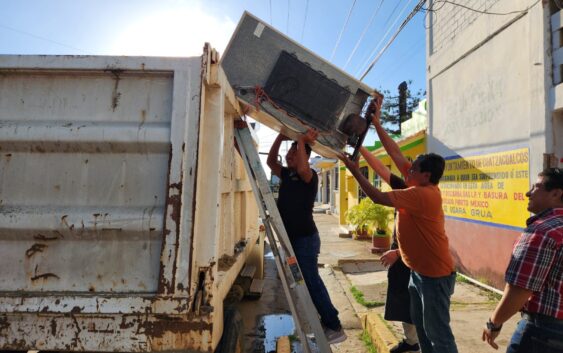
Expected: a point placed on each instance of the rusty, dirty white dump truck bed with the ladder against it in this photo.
(125, 211)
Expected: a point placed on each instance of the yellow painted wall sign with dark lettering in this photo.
(488, 188)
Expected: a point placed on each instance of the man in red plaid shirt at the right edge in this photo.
(534, 277)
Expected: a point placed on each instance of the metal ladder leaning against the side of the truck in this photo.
(305, 315)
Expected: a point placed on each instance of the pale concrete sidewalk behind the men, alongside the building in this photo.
(470, 308)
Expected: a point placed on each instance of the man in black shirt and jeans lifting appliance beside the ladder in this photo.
(297, 194)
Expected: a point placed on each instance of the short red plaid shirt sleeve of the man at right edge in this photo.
(532, 257)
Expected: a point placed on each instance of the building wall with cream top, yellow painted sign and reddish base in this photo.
(491, 95)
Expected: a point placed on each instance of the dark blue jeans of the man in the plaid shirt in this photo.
(539, 335)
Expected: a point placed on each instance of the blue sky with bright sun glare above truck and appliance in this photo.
(180, 27)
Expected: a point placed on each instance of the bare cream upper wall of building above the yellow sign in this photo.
(489, 79)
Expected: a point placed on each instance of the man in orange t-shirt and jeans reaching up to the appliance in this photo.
(422, 239)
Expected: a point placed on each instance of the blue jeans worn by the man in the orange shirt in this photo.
(430, 311)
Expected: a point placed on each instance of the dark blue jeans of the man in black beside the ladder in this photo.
(307, 253)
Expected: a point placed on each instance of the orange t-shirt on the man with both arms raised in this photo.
(421, 234)
